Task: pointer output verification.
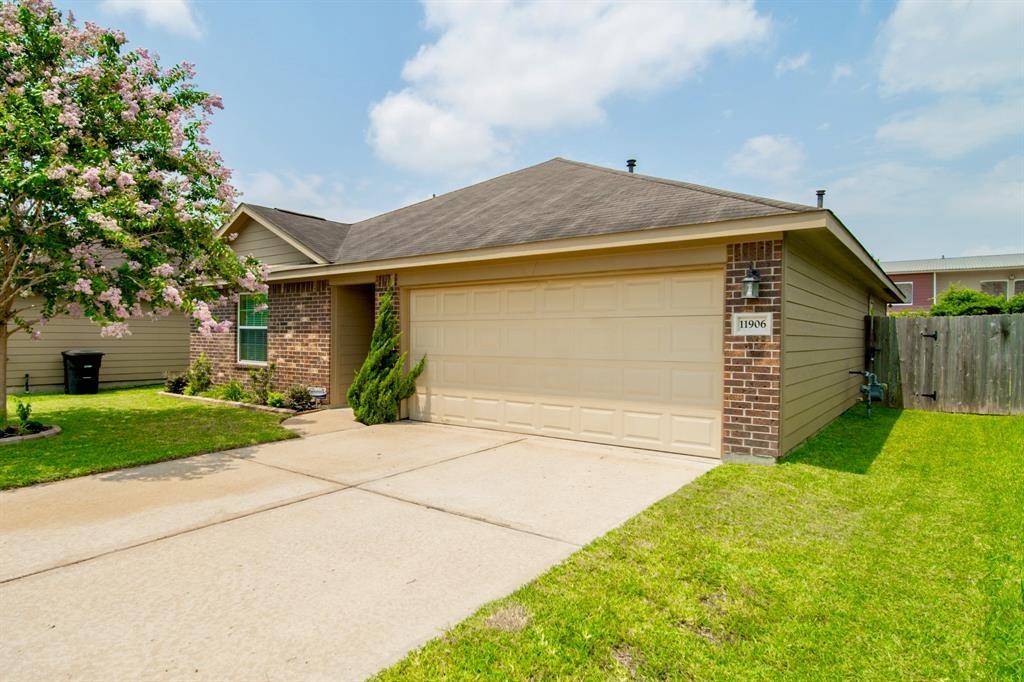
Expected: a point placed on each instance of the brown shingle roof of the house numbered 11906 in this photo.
(554, 200)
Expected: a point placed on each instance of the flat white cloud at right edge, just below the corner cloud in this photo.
(954, 127)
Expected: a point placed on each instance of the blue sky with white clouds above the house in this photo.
(912, 115)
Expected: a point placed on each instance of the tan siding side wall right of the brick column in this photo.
(824, 339)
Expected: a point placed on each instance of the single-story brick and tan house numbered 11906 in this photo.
(576, 302)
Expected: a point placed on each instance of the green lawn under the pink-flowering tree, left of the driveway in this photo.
(124, 429)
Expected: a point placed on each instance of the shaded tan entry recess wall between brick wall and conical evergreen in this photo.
(353, 326)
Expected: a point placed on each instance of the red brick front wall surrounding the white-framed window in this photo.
(298, 337)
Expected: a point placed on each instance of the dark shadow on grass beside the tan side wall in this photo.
(851, 444)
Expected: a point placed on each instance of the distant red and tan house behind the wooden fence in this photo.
(922, 281)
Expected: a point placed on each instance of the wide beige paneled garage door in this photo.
(629, 360)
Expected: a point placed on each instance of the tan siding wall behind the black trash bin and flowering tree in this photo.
(154, 349)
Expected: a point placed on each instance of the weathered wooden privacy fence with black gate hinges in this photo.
(973, 364)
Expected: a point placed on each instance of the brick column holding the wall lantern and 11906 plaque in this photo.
(751, 415)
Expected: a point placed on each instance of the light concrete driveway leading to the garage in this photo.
(326, 558)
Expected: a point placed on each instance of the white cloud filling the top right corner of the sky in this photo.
(952, 47)
